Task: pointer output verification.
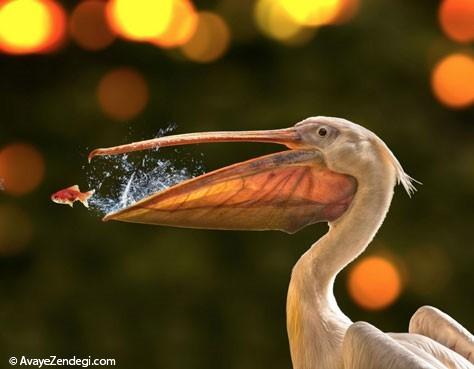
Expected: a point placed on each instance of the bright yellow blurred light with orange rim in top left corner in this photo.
(31, 26)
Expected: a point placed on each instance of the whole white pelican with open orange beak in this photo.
(334, 171)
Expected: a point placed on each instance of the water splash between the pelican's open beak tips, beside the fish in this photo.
(121, 180)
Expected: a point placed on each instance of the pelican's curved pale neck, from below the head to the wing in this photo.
(316, 325)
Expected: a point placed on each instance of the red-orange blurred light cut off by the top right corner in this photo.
(457, 19)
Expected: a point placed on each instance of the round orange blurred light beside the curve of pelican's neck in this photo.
(374, 283)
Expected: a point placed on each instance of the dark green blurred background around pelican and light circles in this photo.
(175, 298)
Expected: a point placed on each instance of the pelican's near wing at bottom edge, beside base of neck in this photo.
(366, 347)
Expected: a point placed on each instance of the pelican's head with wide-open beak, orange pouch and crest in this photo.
(314, 181)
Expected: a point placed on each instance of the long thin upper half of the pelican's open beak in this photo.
(288, 137)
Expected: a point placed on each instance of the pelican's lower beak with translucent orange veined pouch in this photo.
(283, 191)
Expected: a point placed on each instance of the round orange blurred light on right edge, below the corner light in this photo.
(453, 80)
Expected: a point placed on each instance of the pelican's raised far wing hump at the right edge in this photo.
(431, 322)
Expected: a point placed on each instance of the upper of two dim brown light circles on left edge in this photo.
(21, 168)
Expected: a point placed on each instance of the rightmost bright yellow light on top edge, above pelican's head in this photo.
(312, 12)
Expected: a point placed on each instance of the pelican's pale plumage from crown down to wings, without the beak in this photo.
(321, 336)
